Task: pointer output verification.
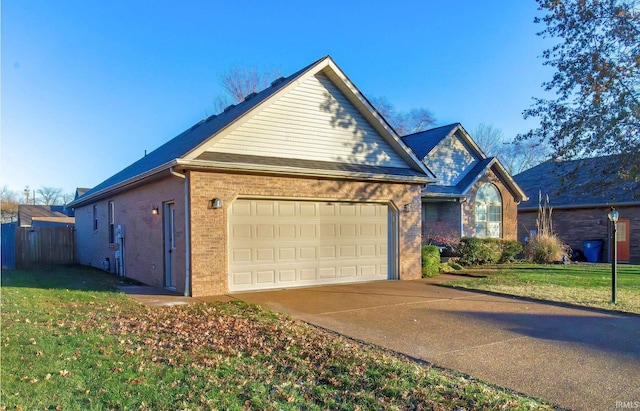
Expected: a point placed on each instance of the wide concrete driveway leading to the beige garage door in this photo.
(576, 358)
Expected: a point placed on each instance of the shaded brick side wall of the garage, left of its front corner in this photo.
(144, 247)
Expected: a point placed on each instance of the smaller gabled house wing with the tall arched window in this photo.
(474, 195)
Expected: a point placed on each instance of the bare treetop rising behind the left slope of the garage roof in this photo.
(240, 81)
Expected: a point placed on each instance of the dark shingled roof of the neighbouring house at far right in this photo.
(571, 184)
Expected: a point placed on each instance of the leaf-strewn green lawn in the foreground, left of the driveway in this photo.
(70, 342)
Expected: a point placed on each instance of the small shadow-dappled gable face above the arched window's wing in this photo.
(451, 160)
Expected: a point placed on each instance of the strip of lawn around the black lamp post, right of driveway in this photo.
(586, 285)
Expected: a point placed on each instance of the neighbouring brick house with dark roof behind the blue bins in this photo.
(582, 192)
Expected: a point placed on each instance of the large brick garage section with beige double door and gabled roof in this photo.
(301, 184)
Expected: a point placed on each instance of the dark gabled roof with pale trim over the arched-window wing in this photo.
(424, 143)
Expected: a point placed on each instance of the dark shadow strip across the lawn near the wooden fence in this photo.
(68, 277)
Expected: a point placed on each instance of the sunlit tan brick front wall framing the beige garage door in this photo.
(209, 228)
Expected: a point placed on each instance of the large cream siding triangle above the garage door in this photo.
(313, 121)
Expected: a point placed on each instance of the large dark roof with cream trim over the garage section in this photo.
(186, 151)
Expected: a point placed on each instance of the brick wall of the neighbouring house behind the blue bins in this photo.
(574, 226)
